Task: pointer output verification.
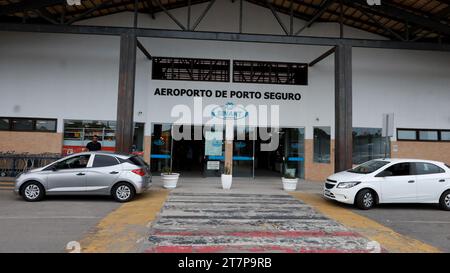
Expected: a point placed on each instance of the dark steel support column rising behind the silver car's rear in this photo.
(125, 100)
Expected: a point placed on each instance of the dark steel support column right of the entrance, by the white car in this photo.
(343, 108)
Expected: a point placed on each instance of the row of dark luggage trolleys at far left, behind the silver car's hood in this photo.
(12, 164)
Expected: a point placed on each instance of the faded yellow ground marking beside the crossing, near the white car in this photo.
(388, 238)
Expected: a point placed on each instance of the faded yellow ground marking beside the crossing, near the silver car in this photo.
(120, 230)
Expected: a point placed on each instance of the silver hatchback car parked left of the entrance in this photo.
(89, 173)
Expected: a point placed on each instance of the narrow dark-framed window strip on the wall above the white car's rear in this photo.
(423, 135)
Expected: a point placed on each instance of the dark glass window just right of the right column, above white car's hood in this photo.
(368, 144)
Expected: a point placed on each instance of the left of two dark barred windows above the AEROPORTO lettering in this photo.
(188, 69)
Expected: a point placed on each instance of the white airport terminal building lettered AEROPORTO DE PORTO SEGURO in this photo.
(59, 89)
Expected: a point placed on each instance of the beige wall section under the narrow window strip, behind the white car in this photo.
(439, 151)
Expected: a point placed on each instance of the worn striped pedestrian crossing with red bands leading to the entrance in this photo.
(214, 222)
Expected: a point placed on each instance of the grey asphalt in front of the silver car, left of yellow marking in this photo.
(49, 225)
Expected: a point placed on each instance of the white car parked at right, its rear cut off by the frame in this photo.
(391, 181)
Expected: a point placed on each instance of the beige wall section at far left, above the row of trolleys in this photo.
(31, 142)
